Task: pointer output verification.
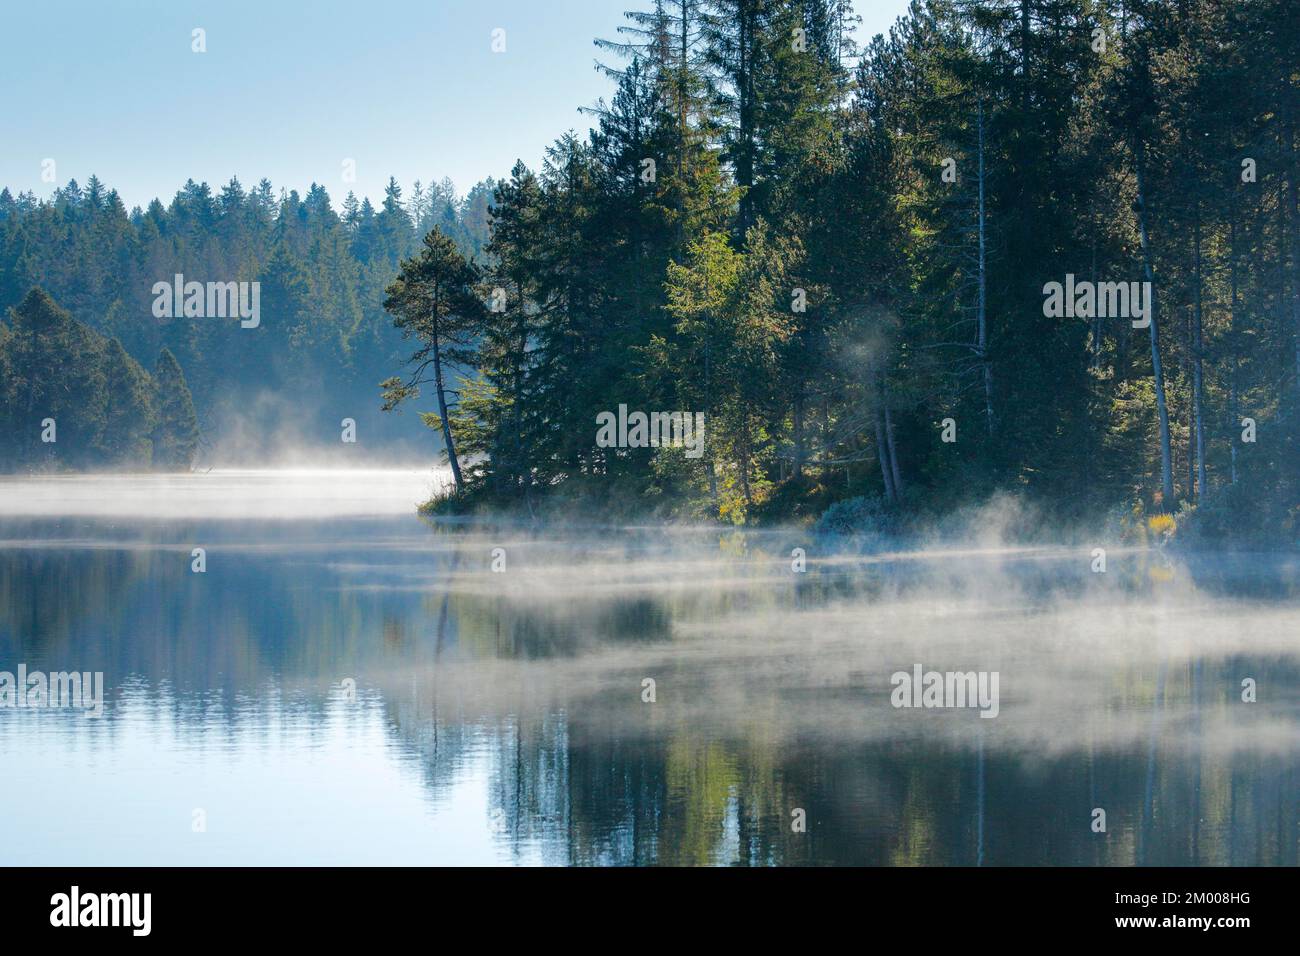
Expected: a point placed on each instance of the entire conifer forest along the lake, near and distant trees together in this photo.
(838, 249)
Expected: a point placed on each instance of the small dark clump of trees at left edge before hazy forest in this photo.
(72, 399)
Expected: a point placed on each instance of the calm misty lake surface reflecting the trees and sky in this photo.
(499, 717)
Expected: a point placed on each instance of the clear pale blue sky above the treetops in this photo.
(291, 90)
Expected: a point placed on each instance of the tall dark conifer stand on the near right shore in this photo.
(843, 259)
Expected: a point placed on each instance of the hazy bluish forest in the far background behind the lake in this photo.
(323, 344)
